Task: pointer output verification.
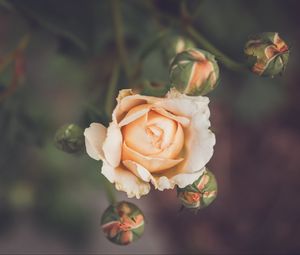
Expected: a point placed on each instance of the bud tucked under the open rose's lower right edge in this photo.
(199, 194)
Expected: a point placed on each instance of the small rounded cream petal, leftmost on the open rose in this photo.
(94, 138)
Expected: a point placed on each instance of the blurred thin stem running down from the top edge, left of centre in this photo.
(119, 36)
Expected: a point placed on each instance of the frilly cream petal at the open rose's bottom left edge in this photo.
(125, 181)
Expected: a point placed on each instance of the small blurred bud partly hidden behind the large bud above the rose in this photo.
(174, 45)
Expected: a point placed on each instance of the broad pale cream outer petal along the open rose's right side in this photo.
(199, 140)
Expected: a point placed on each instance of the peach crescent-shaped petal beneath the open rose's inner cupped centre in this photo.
(150, 163)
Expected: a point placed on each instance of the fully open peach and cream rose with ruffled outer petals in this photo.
(165, 141)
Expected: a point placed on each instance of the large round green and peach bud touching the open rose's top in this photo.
(194, 72)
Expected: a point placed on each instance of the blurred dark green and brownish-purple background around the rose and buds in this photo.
(51, 202)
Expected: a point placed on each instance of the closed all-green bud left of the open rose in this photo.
(69, 138)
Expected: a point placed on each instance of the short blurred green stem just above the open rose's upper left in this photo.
(110, 95)
